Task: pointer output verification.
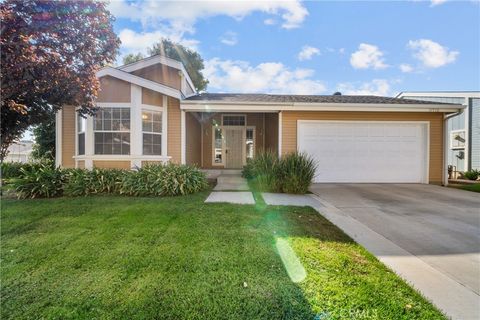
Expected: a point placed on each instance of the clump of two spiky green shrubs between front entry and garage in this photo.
(293, 173)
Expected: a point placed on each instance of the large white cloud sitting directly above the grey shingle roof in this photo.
(268, 77)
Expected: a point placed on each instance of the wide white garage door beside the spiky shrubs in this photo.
(351, 151)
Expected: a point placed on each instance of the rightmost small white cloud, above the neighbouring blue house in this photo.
(431, 54)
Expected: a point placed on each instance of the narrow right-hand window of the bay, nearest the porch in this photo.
(152, 132)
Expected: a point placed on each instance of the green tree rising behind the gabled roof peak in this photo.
(191, 59)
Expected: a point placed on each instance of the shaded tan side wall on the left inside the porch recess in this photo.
(193, 140)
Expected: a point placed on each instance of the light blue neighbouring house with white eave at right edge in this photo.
(463, 129)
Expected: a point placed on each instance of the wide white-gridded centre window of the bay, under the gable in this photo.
(112, 131)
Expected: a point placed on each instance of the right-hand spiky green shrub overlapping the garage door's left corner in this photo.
(296, 172)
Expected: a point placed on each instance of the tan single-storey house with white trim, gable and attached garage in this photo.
(150, 113)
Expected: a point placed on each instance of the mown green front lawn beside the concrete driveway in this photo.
(178, 258)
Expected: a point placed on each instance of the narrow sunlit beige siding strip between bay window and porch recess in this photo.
(174, 130)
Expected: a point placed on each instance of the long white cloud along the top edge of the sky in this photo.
(183, 16)
